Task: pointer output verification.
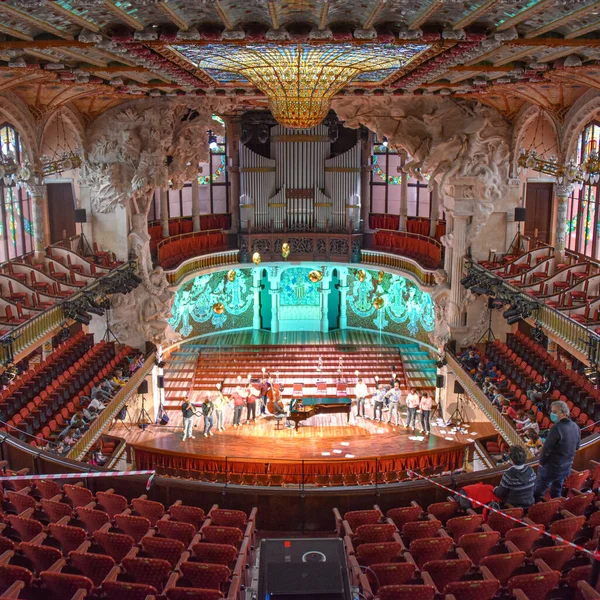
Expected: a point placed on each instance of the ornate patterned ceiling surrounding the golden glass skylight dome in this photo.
(123, 48)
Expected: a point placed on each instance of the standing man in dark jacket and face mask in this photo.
(558, 452)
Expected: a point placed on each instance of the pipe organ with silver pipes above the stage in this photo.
(300, 187)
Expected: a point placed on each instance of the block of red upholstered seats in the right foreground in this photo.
(414, 553)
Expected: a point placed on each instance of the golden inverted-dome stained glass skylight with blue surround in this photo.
(300, 79)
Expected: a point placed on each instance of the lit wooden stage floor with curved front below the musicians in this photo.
(325, 450)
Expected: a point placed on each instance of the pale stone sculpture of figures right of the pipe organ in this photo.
(446, 139)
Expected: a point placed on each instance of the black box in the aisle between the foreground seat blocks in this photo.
(298, 569)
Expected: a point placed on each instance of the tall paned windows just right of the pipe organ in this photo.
(386, 185)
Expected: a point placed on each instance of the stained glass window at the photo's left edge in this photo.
(16, 229)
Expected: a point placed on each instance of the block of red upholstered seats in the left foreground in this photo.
(122, 550)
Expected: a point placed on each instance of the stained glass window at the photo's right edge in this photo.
(583, 226)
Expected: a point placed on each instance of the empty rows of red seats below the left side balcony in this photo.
(57, 403)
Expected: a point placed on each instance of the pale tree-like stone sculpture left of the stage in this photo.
(132, 151)
